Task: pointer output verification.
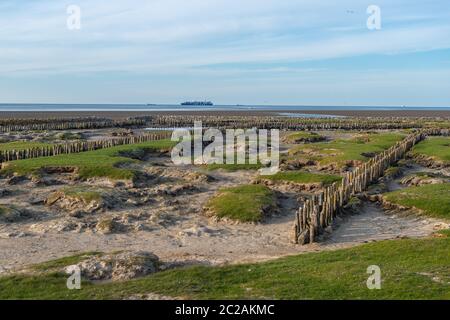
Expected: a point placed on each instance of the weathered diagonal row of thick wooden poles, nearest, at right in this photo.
(318, 212)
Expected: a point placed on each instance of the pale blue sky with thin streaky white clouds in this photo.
(291, 52)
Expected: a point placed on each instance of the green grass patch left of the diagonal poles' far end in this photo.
(342, 150)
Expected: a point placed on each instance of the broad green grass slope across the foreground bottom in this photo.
(407, 271)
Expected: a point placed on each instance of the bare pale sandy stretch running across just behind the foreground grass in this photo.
(203, 241)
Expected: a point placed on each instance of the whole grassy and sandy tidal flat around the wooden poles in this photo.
(150, 222)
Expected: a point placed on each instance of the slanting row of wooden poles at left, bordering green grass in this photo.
(79, 146)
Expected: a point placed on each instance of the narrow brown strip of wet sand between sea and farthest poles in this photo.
(124, 114)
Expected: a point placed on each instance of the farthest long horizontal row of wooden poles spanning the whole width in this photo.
(217, 121)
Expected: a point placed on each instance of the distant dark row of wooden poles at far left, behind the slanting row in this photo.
(14, 125)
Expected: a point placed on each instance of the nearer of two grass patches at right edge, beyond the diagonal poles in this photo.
(432, 199)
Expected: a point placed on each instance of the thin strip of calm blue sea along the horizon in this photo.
(169, 107)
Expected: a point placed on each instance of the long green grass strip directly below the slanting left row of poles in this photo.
(97, 163)
